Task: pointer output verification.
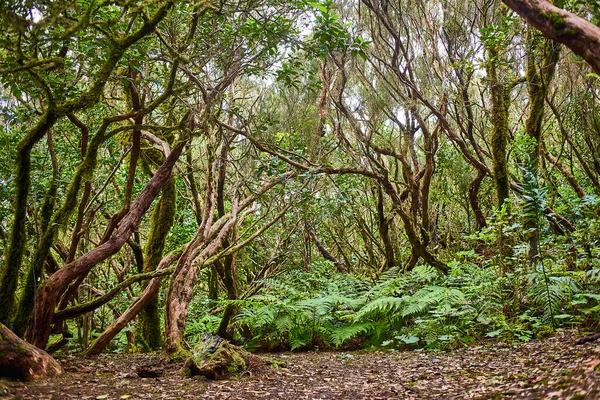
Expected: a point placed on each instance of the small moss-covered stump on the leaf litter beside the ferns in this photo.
(216, 358)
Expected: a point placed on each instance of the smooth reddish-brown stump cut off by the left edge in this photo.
(22, 361)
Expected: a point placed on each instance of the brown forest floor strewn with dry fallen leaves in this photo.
(540, 369)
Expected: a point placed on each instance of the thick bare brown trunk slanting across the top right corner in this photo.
(581, 36)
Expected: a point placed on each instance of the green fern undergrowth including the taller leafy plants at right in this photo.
(483, 297)
